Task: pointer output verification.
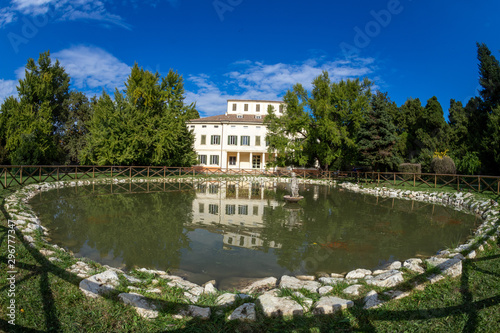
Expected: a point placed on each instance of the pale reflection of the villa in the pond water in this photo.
(235, 207)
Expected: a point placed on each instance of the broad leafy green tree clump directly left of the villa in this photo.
(145, 125)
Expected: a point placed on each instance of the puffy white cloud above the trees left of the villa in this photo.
(93, 69)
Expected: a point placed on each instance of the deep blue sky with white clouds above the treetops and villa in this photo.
(255, 49)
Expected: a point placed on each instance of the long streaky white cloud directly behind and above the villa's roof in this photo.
(257, 80)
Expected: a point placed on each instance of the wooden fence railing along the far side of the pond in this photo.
(12, 175)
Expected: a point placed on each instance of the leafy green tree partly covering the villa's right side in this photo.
(320, 128)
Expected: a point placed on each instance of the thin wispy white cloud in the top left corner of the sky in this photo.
(64, 10)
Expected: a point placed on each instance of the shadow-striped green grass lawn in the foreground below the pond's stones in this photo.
(48, 299)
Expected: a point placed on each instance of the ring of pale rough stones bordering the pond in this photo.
(276, 298)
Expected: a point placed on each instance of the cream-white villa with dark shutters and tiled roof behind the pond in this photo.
(236, 139)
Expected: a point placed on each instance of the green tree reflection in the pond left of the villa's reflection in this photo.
(121, 224)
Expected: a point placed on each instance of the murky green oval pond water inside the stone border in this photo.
(233, 231)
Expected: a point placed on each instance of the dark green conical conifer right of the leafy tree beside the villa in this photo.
(377, 139)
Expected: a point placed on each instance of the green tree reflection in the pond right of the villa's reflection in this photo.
(343, 230)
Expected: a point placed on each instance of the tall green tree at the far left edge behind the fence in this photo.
(30, 124)
